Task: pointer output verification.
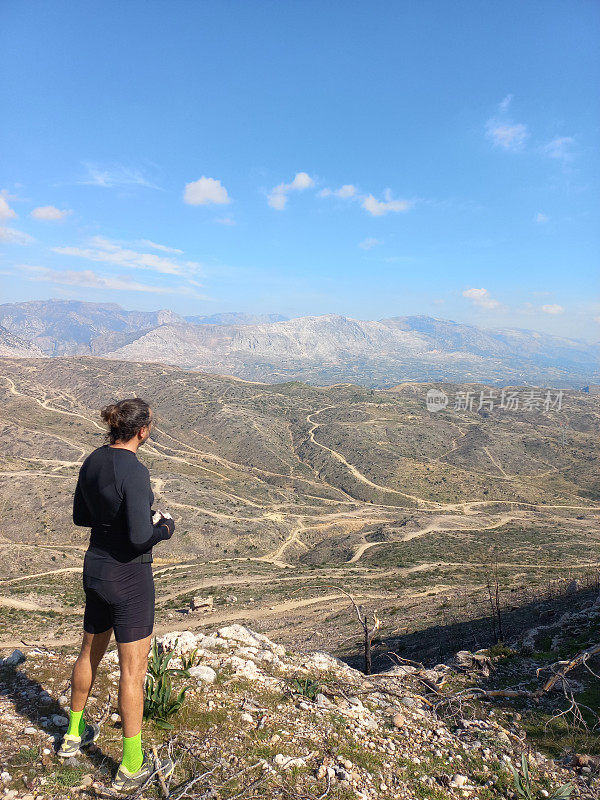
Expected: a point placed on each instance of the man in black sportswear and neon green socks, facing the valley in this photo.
(114, 497)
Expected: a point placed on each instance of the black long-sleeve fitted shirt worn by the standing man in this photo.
(114, 497)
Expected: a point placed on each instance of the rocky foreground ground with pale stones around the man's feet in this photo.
(262, 721)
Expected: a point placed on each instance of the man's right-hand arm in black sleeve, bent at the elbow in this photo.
(142, 533)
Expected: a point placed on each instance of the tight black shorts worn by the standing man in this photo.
(123, 599)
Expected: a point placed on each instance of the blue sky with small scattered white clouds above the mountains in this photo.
(371, 159)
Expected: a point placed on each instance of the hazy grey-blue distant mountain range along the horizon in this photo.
(324, 349)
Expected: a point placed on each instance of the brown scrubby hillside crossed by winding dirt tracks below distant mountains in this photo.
(279, 490)
